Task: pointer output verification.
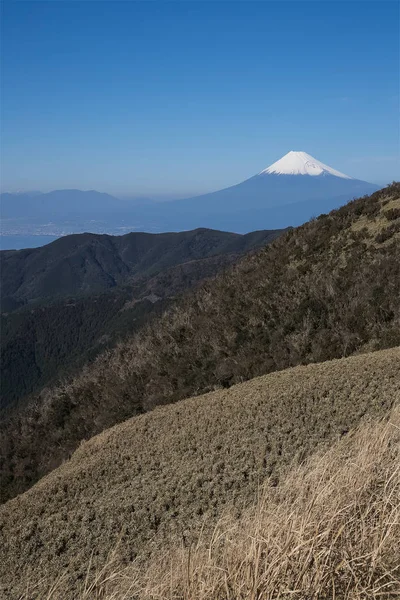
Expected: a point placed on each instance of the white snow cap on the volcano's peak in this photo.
(301, 163)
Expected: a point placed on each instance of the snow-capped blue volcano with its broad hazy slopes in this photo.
(287, 193)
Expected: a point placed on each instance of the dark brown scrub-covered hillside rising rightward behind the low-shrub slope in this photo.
(328, 289)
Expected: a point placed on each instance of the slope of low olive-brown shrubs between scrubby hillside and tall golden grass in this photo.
(176, 468)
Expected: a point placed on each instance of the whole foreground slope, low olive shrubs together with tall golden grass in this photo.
(170, 474)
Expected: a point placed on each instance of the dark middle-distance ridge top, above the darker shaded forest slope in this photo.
(92, 263)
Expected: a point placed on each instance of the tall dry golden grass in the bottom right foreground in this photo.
(331, 529)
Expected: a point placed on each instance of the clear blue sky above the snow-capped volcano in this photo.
(177, 98)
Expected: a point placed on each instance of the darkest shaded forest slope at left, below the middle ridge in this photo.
(42, 344)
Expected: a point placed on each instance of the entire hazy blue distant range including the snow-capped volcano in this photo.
(287, 193)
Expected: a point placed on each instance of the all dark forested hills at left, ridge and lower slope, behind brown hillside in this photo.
(52, 336)
